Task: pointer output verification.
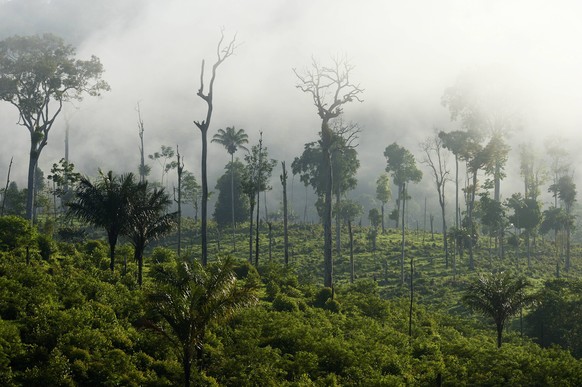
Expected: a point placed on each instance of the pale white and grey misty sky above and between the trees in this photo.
(405, 54)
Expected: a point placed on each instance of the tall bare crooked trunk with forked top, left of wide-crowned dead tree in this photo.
(222, 53)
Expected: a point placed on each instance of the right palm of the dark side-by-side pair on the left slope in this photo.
(147, 220)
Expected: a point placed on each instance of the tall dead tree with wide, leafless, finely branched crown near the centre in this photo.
(330, 89)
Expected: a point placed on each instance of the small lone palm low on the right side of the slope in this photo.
(499, 296)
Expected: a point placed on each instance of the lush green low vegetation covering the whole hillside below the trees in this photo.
(66, 319)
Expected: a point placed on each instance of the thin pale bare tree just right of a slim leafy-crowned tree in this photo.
(437, 162)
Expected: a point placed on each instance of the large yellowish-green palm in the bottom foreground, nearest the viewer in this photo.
(189, 297)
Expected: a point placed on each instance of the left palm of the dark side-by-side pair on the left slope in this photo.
(104, 204)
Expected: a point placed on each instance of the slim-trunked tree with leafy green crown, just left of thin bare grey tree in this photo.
(401, 164)
